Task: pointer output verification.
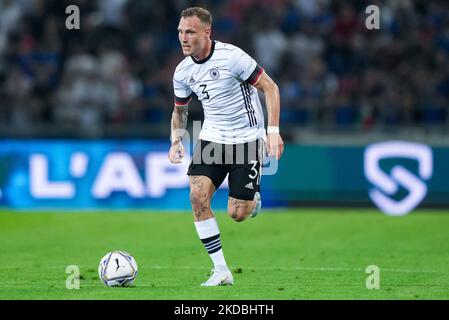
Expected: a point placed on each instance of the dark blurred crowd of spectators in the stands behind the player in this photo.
(116, 70)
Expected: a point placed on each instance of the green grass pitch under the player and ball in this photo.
(290, 254)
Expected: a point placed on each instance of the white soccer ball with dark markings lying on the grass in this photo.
(117, 269)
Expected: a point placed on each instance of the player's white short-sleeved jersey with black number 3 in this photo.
(222, 82)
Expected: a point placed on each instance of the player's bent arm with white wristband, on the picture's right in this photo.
(275, 144)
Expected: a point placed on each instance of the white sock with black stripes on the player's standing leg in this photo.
(210, 237)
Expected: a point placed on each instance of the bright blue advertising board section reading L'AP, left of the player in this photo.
(94, 174)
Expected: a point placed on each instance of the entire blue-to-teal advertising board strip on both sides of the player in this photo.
(394, 176)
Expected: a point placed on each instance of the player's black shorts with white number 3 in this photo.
(241, 161)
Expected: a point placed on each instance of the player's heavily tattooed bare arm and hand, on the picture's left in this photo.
(178, 127)
